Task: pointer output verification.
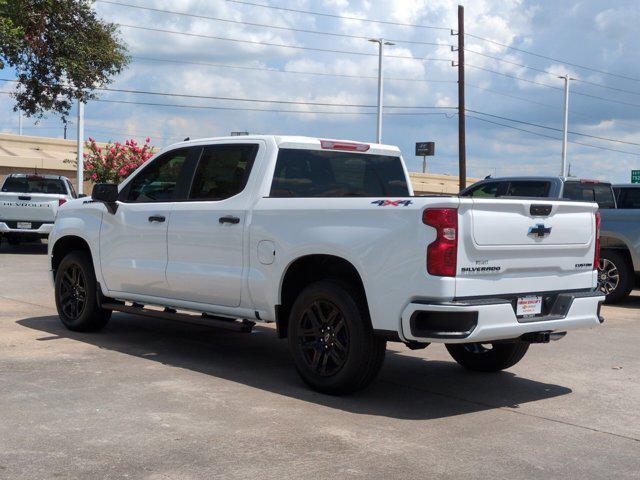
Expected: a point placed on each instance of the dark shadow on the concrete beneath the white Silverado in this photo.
(408, 387)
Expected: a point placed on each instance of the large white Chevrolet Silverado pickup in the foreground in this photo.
(325, 238)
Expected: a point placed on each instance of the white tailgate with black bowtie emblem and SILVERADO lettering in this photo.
(510, 246)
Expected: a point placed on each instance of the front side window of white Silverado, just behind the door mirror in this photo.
(157, 182)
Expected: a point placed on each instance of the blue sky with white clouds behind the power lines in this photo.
(596, 34)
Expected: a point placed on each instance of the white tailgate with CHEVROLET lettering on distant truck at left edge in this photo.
(37, 207)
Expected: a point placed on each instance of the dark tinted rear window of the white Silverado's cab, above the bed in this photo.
(312, 173)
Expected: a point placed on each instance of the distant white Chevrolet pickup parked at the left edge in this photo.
(29, 203)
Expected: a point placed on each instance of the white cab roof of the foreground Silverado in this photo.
(293, 141)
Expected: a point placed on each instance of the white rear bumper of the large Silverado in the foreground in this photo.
(488, 319)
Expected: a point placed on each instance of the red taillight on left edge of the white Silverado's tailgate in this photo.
(442, 254)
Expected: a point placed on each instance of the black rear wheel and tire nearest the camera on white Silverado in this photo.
(331, 339)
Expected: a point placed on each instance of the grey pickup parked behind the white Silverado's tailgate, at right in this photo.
(620, 232)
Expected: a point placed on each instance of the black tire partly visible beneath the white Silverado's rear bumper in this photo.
(479, 358)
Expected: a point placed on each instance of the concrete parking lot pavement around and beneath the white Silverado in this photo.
(153, 399)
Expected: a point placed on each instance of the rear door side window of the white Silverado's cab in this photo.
(223, 171)
